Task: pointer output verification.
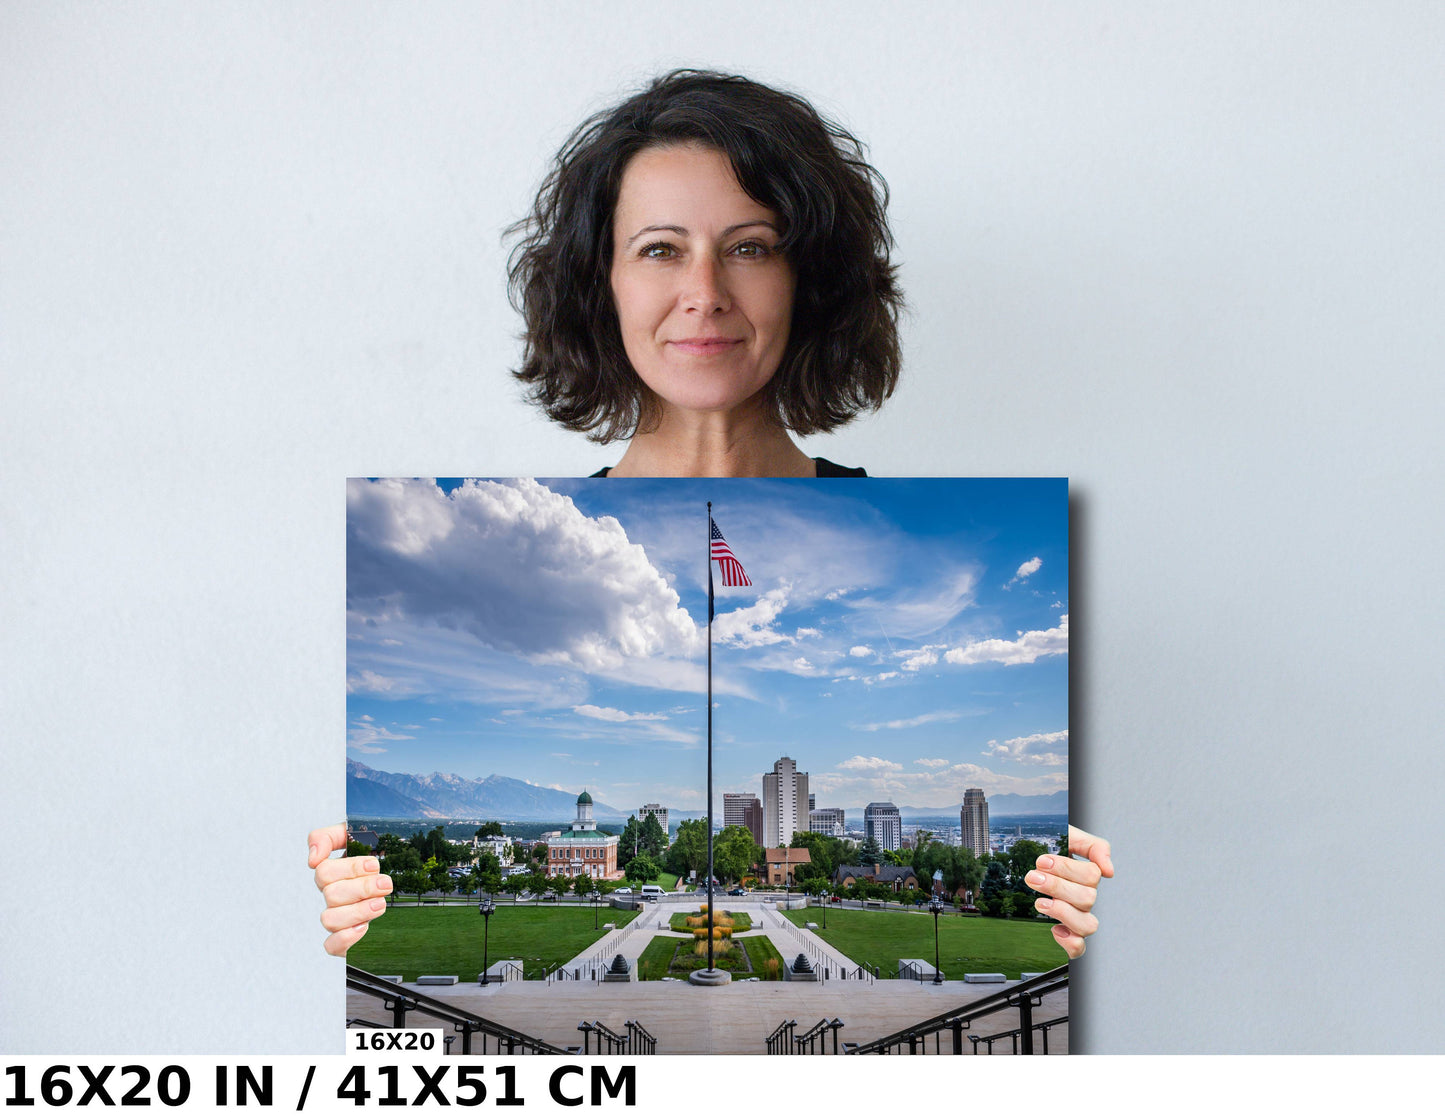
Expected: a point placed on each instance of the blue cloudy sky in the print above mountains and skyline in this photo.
(902, 639)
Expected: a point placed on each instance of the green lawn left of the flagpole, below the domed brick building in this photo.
(413, 941)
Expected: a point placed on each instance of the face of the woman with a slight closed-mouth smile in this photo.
(703, 296)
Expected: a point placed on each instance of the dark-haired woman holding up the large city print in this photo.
(704, 274)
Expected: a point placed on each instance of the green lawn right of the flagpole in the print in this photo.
(972, 946)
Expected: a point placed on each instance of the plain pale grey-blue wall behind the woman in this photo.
(1187, 256)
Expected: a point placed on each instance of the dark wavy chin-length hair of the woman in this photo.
(843, 352)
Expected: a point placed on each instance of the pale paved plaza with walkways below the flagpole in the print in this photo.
(733, 1019)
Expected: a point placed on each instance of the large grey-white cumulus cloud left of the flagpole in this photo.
(512, 564)
